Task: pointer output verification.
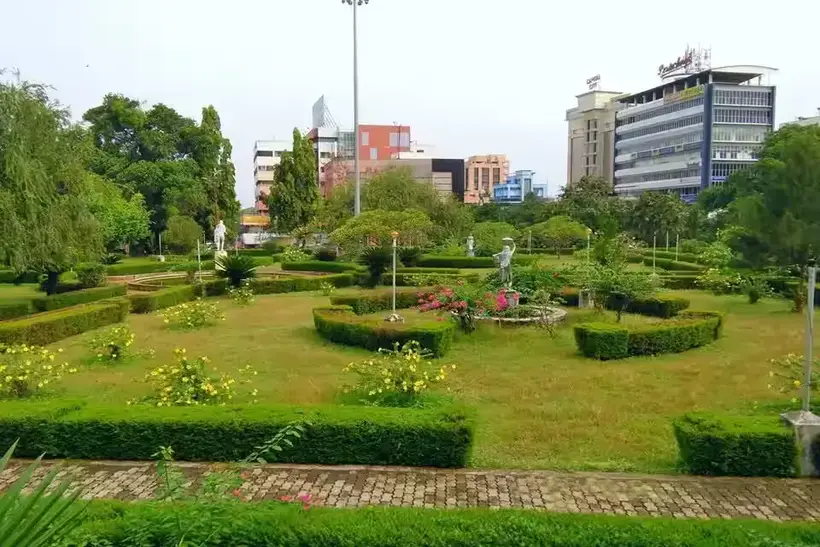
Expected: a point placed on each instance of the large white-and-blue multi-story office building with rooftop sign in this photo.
(693, 130)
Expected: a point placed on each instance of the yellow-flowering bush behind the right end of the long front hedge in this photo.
(396, 377)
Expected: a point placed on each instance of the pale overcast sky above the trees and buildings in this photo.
(470, 76)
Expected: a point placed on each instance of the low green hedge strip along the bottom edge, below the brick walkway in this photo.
(272, 524)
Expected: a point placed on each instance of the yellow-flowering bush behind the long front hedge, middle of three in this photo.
(186, 382)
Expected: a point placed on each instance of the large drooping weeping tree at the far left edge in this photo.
(45, 219)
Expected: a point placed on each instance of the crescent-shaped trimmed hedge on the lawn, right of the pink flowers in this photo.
(611, 341)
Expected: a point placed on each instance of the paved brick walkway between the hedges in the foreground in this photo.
(347, 486)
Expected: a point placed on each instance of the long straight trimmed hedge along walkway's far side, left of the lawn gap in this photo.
(436, 437)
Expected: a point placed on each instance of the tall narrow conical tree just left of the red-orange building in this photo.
(294, 194)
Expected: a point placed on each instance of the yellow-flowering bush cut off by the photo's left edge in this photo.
(25, 370)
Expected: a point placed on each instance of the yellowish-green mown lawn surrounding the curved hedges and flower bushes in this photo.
(539, 403)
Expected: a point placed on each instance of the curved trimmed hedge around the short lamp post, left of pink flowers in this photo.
(340, 325)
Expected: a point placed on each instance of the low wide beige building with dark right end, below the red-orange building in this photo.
(446, 175)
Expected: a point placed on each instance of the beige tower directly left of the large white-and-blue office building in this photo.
(590, 139)
